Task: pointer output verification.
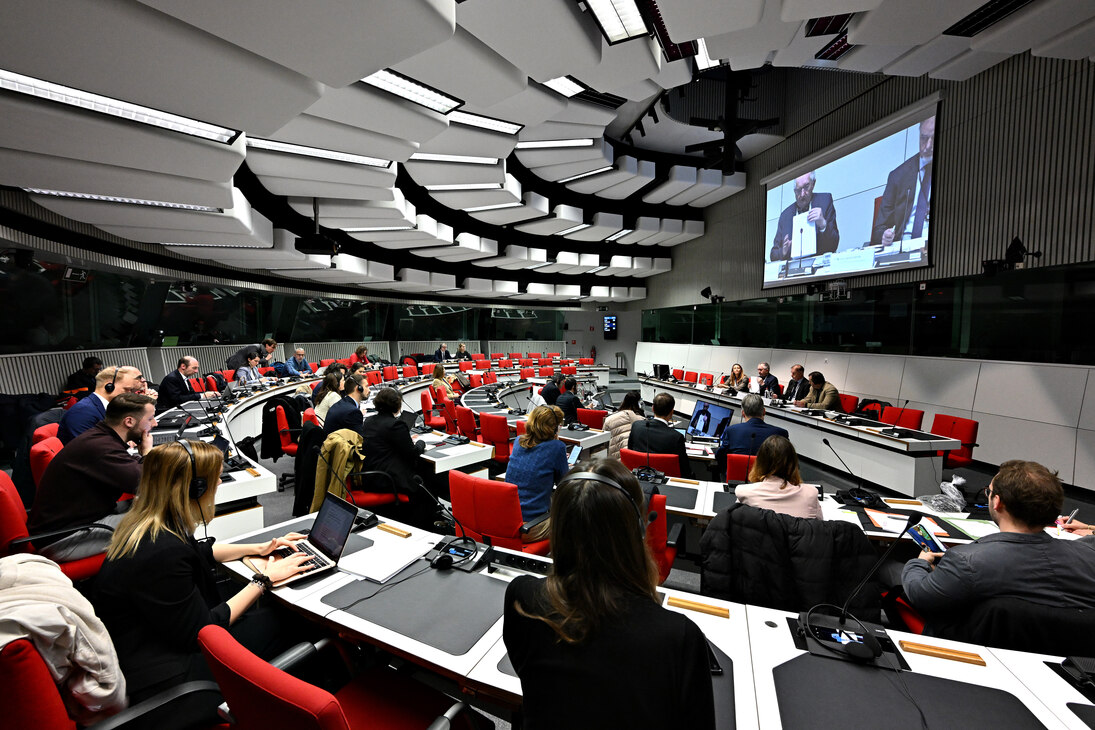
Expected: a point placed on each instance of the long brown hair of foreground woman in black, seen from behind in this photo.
(600, 552)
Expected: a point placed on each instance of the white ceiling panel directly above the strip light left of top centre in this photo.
(467, 68)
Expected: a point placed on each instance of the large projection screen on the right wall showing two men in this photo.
(863, 207)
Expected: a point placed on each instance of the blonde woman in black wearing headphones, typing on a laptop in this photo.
(158, 586)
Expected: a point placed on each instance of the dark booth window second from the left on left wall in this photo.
(210, 316)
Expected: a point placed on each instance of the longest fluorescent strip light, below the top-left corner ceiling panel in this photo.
(84, 100)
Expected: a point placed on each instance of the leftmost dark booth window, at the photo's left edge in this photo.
(60, 307)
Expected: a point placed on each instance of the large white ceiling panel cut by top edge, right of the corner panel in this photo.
(337, 56)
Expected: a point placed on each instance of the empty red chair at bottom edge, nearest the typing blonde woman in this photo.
(261, 696)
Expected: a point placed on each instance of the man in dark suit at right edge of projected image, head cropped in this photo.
(905, 207)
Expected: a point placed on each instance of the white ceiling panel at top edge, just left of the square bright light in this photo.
(545, 40)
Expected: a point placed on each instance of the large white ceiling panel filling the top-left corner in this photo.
(136, 54)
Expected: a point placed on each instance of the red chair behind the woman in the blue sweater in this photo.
(486, 507)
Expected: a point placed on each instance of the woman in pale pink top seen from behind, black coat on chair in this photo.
(775, 483)
